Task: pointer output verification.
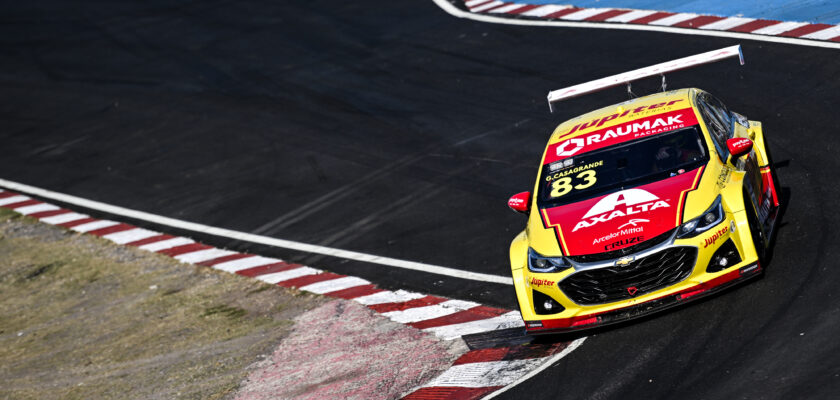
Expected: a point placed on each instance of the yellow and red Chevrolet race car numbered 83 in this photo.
(641, 206)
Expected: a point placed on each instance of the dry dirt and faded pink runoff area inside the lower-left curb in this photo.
(83, 318)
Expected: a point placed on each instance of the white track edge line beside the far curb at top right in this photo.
(456, 12)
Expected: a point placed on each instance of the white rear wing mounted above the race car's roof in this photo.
(658, 69)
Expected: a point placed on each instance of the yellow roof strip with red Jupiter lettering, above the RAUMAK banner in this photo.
(626, 111)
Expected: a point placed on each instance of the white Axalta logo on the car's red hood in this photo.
(620, 204)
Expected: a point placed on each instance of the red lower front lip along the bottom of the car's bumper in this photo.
(651, 306)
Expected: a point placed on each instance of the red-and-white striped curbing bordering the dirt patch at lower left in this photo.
(476, 374)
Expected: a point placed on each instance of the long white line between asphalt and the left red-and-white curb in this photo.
(249, 237)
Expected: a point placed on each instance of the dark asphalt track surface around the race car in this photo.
(395, 129)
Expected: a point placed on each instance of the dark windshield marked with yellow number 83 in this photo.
(629, 164)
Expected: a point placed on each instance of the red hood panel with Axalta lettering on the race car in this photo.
(621, 219)
